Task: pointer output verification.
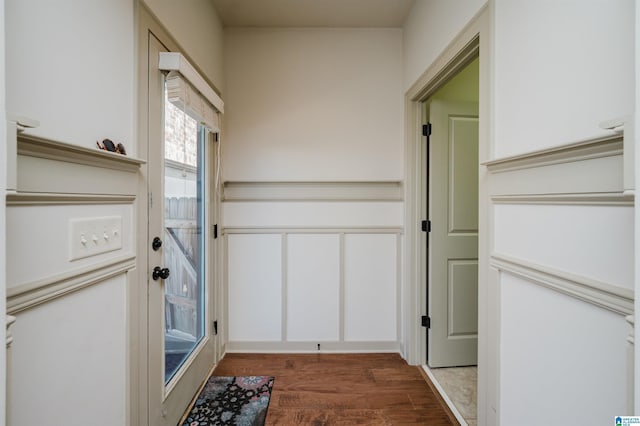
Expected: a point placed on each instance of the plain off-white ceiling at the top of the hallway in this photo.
(313, 13)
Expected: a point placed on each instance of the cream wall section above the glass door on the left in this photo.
(197, 29)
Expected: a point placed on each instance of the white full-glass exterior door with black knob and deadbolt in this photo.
(180, 259)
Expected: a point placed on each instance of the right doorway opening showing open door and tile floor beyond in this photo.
(450, 172)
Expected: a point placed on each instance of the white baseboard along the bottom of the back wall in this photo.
(312, 347)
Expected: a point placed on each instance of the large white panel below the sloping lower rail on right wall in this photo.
(577, 353)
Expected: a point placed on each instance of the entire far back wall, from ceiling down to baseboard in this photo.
(313, 105)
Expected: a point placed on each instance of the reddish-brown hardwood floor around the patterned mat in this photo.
(347, 389)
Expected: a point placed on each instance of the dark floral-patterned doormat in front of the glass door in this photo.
(232, 401)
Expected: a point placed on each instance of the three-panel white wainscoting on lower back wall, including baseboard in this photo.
(309, 290)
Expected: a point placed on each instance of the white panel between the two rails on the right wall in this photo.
(591, 241)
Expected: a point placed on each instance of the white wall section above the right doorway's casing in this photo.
(428, 29)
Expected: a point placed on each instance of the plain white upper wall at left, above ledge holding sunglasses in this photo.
(70, 66)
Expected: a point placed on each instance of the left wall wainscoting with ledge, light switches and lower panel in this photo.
(71, 334)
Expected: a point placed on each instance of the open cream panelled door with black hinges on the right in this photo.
(452, 277)
